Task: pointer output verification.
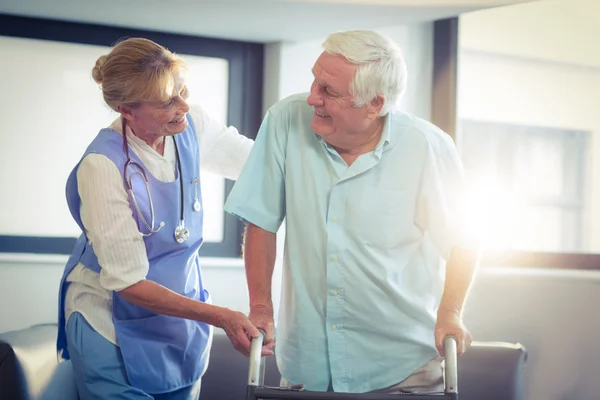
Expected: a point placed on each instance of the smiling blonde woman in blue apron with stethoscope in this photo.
(135, 318)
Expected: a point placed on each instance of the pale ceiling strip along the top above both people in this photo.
(249, 20)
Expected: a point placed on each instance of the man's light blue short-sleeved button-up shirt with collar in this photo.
(364, 248)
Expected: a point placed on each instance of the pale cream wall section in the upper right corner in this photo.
(561, 31)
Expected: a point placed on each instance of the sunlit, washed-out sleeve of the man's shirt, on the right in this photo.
(441, 210)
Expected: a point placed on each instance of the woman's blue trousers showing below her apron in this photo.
(99, 369)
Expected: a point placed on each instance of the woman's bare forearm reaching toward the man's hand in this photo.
(159, 299)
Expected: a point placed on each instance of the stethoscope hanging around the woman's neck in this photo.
(181, 232)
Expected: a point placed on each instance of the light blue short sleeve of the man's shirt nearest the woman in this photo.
(258, 196)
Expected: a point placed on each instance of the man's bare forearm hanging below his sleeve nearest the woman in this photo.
(259, 257)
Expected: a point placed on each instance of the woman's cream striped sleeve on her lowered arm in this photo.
(109, 225)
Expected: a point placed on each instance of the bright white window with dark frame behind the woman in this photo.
(55, 108)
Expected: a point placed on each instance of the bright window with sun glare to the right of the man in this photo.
(526, 185)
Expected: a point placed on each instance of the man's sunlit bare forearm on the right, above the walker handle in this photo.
(460, 270)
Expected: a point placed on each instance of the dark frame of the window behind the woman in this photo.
(243, 109)
